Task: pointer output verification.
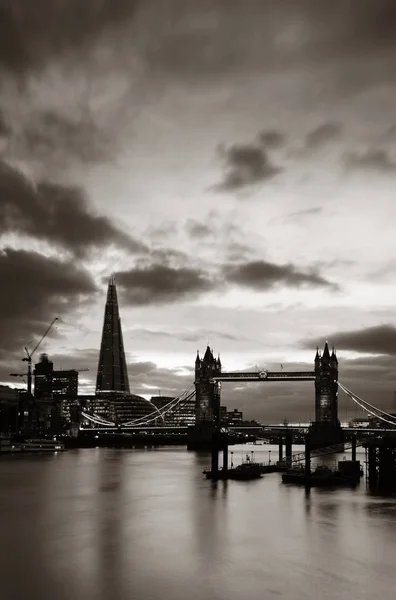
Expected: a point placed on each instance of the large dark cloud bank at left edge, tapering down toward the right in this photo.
(55, 213)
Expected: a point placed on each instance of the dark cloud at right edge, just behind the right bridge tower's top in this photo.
(380, 339)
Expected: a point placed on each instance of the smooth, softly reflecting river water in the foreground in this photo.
(104, 524)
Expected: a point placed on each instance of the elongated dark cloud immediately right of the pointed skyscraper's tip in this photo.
(160, 284)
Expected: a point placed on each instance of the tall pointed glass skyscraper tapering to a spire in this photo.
(112, 370)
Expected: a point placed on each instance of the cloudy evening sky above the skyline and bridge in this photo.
(233, 163)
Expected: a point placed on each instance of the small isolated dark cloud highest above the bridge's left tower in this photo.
(246, 165)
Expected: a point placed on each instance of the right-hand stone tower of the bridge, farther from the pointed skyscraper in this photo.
(326, 429)
